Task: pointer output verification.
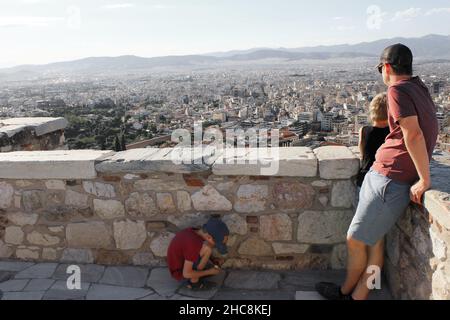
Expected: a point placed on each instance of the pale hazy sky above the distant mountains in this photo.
(42, 31)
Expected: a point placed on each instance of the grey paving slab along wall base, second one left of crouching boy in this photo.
(135, 277)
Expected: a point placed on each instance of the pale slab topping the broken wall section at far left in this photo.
(41, 126)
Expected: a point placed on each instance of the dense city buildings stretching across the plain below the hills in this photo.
(312, 102)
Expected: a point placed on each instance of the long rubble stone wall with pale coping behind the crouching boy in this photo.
(124, 208)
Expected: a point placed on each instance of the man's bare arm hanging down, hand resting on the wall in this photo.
(416, 146)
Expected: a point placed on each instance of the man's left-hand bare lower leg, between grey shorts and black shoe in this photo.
(356, 264)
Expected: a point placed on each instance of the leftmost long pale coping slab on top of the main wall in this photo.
(59, 164)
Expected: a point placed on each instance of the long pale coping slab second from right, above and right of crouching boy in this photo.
(292, 162)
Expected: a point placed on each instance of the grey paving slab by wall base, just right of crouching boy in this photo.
(252, 280)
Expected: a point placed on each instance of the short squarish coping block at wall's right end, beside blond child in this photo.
(337, 162)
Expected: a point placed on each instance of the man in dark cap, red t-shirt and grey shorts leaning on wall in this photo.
(400, 174)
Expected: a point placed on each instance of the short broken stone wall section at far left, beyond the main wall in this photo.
(32, 134)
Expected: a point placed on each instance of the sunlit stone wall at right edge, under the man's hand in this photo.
(417, 259)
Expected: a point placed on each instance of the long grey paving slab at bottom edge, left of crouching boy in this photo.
(107, 292)
